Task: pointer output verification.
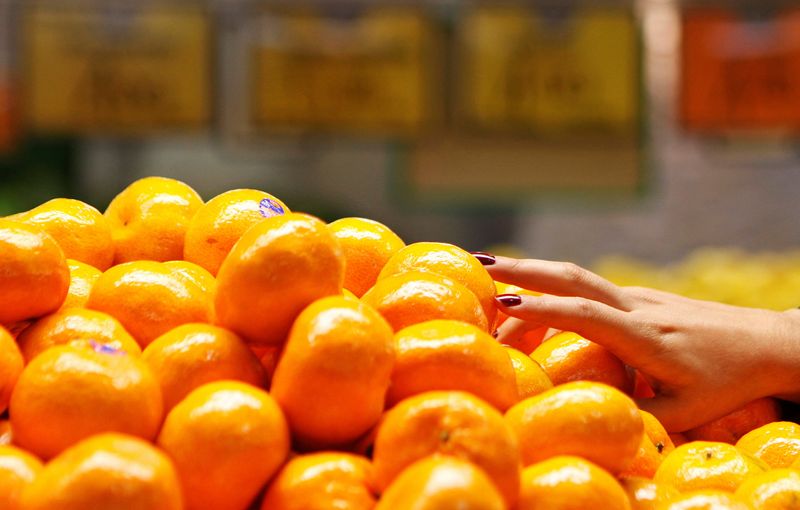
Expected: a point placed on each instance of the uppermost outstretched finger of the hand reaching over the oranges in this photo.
(557, 278)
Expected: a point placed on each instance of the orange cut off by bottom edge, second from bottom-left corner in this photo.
(106, 471)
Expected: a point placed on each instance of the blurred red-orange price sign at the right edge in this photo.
(740, 74)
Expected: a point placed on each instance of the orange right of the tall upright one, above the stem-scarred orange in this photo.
(452, 355)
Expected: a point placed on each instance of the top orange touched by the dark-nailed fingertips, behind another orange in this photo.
(451, 262)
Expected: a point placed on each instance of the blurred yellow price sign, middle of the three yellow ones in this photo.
(368, 73)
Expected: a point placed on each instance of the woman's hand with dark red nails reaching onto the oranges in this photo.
(702, 359)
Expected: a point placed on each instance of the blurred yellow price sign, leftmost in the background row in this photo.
(117, 69)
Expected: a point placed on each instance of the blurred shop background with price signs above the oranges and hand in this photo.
(653, 140)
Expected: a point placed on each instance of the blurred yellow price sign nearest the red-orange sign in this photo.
(525, 70)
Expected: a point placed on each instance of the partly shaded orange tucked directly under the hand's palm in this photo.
(569, 357)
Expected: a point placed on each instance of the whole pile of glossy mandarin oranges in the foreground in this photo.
(172, 353)
